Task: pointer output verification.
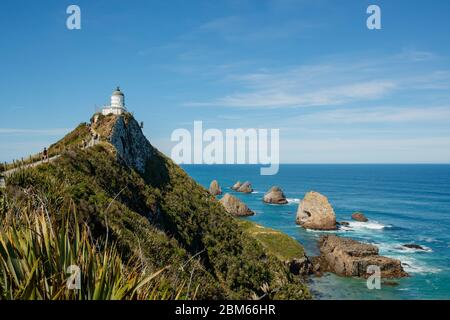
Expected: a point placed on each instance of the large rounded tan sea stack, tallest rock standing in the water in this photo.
(315, 212)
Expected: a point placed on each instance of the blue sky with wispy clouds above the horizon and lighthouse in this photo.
(338, 92)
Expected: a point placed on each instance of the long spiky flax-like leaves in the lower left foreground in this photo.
(37, 254)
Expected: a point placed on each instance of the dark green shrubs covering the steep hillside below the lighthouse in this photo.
(162, 217)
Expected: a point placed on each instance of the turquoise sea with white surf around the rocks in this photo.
(405, 204)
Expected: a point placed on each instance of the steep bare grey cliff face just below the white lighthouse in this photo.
(132, 146)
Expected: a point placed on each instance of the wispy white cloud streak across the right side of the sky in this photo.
(335, 83)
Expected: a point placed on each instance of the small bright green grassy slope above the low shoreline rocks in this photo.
(277, 243)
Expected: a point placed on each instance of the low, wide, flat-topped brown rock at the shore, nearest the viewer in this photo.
(348, 257)
